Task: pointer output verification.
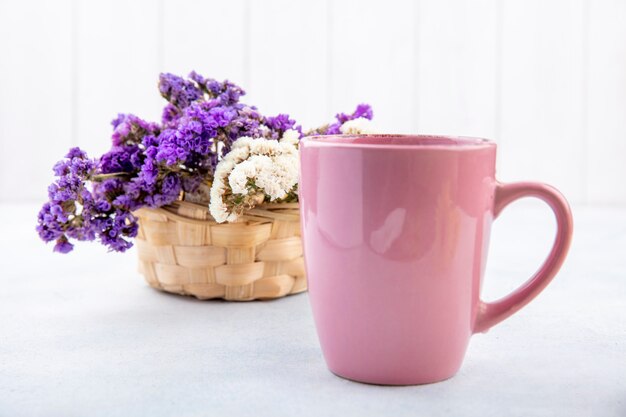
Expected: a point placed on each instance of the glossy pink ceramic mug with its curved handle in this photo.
(395, 231)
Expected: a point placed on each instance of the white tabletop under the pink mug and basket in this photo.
(83, 335)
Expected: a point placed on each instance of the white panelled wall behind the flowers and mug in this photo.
(545, 78)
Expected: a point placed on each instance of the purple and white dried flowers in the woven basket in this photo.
(153, 164)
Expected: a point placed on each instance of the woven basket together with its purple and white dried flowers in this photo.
(210, 193)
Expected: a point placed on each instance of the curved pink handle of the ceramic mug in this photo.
(490, 314)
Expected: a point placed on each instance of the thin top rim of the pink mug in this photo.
(399, 141)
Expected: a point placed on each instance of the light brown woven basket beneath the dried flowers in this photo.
(183, 250)
